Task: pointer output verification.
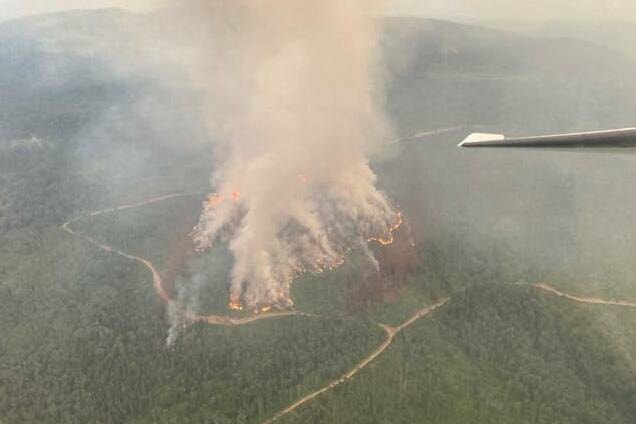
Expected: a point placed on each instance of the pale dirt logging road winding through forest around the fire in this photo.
(391, 332)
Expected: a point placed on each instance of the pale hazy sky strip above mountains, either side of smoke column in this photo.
(466, 10)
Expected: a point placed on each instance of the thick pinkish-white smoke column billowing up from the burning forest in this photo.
(291, 91)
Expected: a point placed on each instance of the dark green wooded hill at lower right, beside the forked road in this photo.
(494, 354)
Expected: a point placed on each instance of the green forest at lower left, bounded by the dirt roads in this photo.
(83, 340)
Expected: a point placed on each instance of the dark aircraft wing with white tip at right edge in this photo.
(623, 140)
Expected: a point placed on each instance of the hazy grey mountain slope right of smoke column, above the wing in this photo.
(448, 74)
